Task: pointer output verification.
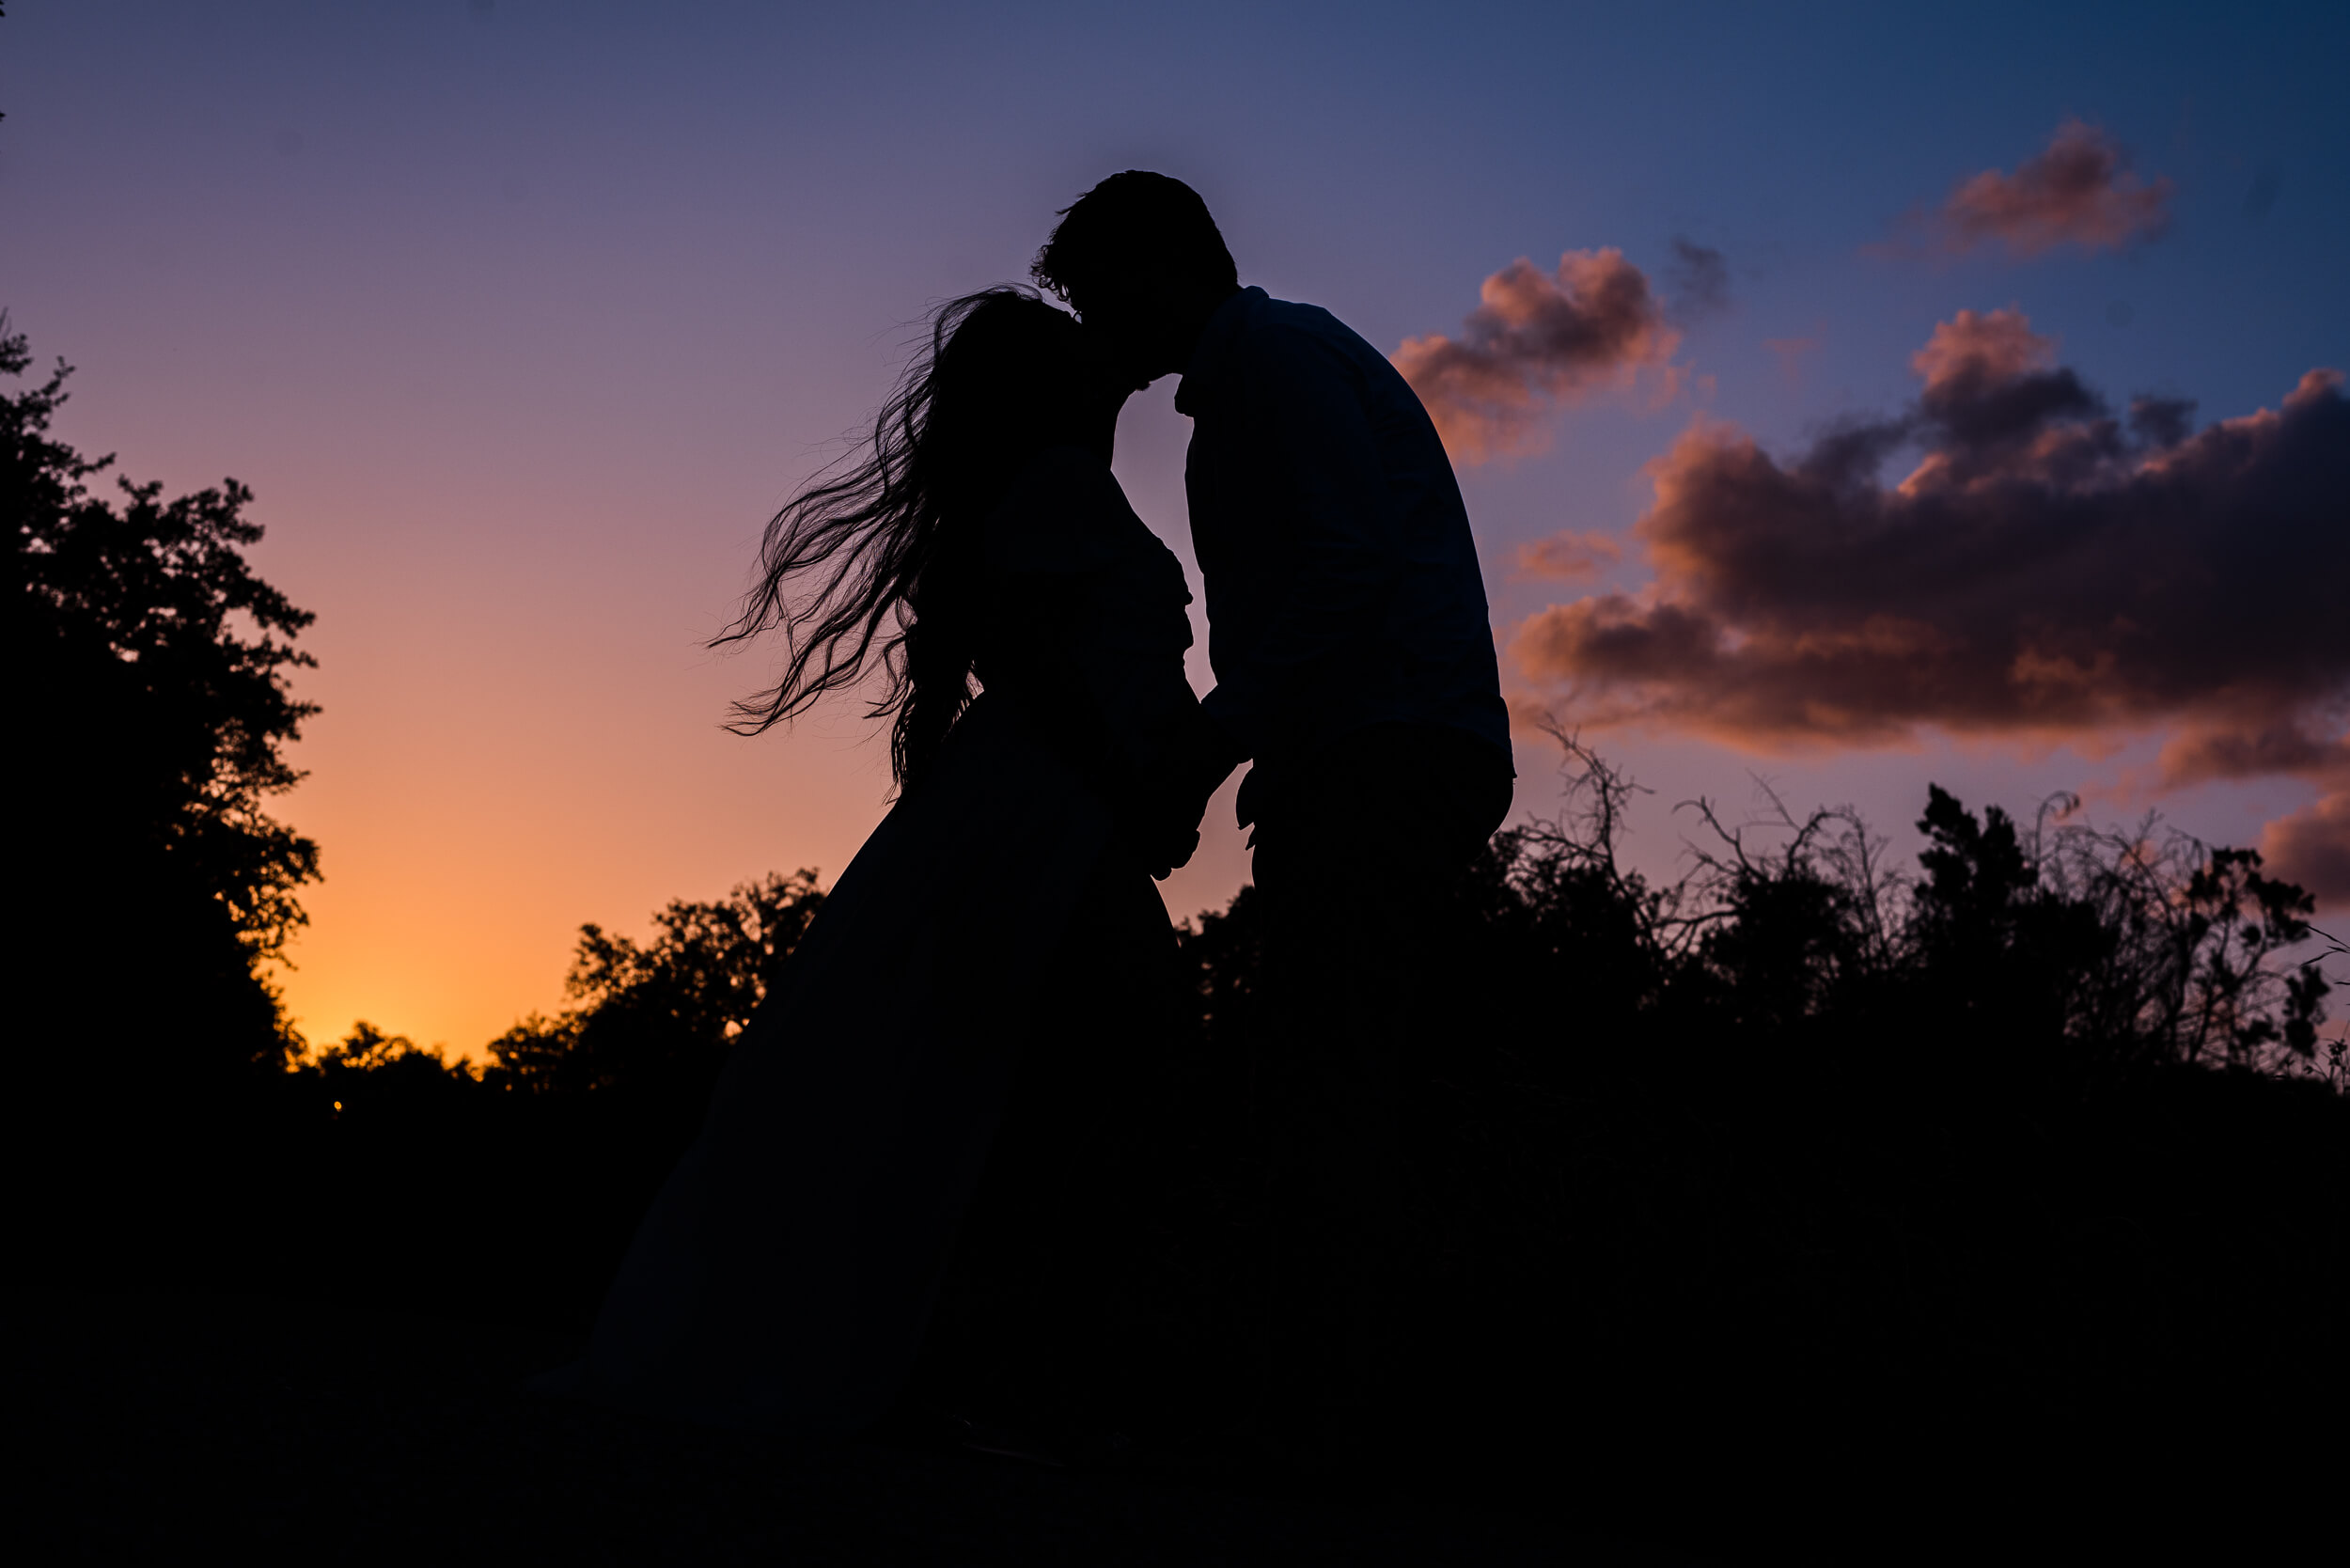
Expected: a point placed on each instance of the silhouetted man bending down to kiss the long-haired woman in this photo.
(1355, 666)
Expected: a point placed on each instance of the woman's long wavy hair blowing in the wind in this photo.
(875, 563)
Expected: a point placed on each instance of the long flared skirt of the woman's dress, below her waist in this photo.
(784, 1278)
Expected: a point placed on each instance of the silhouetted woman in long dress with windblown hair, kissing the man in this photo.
(786, 1273)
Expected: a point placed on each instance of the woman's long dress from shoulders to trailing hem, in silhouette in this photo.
(786, 1273)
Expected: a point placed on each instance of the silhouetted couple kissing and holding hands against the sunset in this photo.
(948, 1040)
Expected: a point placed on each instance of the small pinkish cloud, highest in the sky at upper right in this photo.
(2079, 192)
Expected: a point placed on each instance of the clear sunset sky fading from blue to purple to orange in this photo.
(521, 319)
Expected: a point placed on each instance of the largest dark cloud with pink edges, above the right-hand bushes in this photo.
(2043, 570)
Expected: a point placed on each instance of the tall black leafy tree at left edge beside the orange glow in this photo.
(152, 742)
